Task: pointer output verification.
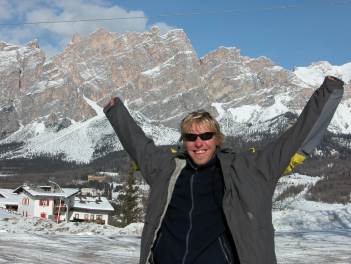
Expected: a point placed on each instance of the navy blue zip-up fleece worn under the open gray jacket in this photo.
(194, 218)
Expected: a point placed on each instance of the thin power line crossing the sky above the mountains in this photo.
(194, 13)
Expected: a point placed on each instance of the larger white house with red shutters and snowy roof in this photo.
(46, 201)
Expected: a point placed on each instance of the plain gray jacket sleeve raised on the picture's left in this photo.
(149, 158)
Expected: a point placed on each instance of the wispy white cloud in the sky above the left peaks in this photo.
(53, 37)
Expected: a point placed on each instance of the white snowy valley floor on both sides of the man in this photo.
(305, 232)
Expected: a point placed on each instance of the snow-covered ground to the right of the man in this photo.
(312, 232)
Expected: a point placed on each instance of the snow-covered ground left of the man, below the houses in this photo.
(35, 241)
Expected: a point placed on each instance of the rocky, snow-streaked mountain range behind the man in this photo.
(55, 106)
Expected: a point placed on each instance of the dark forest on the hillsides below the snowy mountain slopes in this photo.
(332, 163)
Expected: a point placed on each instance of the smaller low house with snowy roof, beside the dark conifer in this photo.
(91, 209)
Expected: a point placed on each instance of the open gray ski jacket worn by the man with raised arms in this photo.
(250, 177)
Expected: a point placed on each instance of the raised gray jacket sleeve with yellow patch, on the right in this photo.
(302, 138)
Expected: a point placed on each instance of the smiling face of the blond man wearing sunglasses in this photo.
(200, 151)
